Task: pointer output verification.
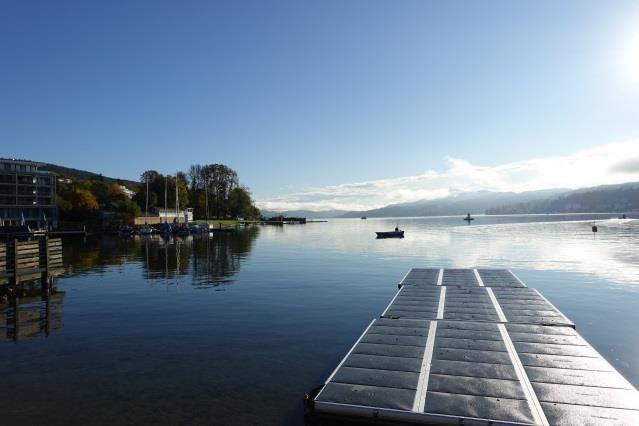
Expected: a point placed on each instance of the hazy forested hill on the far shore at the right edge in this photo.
(610, 198)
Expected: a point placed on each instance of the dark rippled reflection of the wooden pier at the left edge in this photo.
(30, 310)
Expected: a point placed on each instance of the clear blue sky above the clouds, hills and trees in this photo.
(302, 97)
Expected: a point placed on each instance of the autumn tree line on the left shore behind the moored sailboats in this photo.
(213, 191)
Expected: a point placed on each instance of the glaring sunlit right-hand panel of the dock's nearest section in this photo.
(574, 384)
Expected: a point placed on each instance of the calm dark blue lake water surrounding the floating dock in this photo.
(235, 328)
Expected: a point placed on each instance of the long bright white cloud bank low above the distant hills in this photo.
(606, 164)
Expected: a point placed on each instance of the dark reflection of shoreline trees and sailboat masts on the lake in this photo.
(209, 260)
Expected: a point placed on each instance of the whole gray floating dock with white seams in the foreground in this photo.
(473, 347)
